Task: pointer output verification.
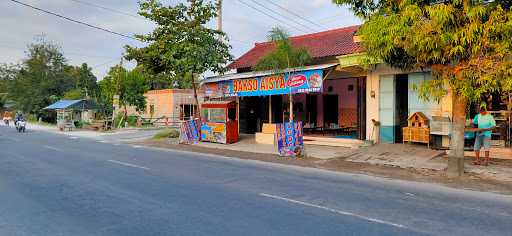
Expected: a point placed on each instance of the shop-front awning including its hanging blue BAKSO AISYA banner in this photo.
(307, 79)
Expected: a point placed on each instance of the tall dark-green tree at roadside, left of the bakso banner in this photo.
(181, 44)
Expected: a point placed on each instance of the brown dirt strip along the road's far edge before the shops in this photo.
(468, 181)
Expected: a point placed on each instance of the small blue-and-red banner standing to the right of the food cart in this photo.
(290, 139)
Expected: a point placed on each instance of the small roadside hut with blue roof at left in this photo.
(69, 112)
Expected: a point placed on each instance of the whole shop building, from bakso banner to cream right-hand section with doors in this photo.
(349, 104)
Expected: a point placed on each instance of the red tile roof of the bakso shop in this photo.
(334, 42)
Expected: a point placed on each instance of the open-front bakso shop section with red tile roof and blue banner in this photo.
(330, 102)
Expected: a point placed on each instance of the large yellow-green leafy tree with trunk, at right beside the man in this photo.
(466, 44)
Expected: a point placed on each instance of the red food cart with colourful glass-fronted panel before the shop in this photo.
(219, 122)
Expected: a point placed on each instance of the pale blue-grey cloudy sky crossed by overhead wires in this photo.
(243, 24)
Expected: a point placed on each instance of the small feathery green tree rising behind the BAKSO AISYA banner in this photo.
(284, 56)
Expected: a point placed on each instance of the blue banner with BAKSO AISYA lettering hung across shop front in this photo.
(296, 82)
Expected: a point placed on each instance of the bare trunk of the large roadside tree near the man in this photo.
(456, 158)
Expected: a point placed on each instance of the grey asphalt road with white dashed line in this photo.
(53, 184)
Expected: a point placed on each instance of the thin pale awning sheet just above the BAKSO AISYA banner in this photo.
(254, 74)
